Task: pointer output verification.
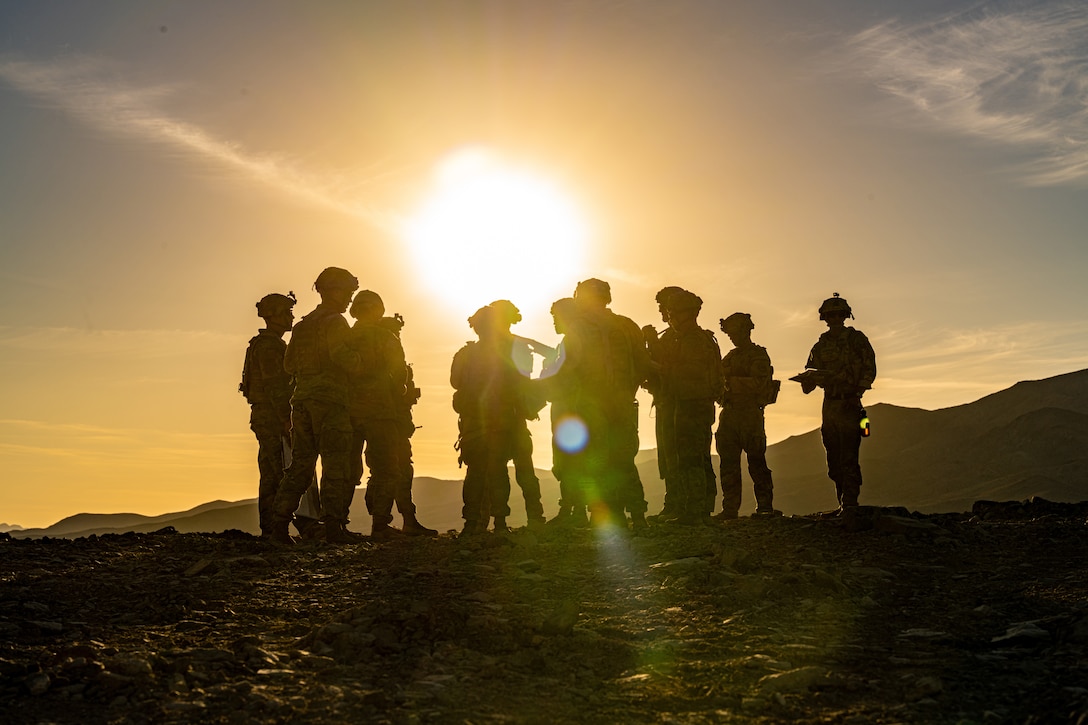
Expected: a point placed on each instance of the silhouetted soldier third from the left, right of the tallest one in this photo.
(375, 394)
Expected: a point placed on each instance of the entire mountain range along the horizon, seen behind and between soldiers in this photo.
(1031, 440)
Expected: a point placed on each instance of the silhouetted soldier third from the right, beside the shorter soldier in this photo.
(686, 384)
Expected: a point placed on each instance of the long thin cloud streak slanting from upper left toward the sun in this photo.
(88, 90)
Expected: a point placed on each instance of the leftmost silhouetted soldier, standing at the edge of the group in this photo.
(267, 388)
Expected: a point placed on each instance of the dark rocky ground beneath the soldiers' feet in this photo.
(883, 617)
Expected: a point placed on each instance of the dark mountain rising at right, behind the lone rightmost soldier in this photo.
(1029, 440)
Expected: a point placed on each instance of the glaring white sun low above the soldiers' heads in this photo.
(490, 230)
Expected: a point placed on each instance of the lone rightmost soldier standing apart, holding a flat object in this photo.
(844, 364)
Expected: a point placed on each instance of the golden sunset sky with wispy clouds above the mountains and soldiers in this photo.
(166, 165)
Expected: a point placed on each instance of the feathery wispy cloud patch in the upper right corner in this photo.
(1015, 75)
